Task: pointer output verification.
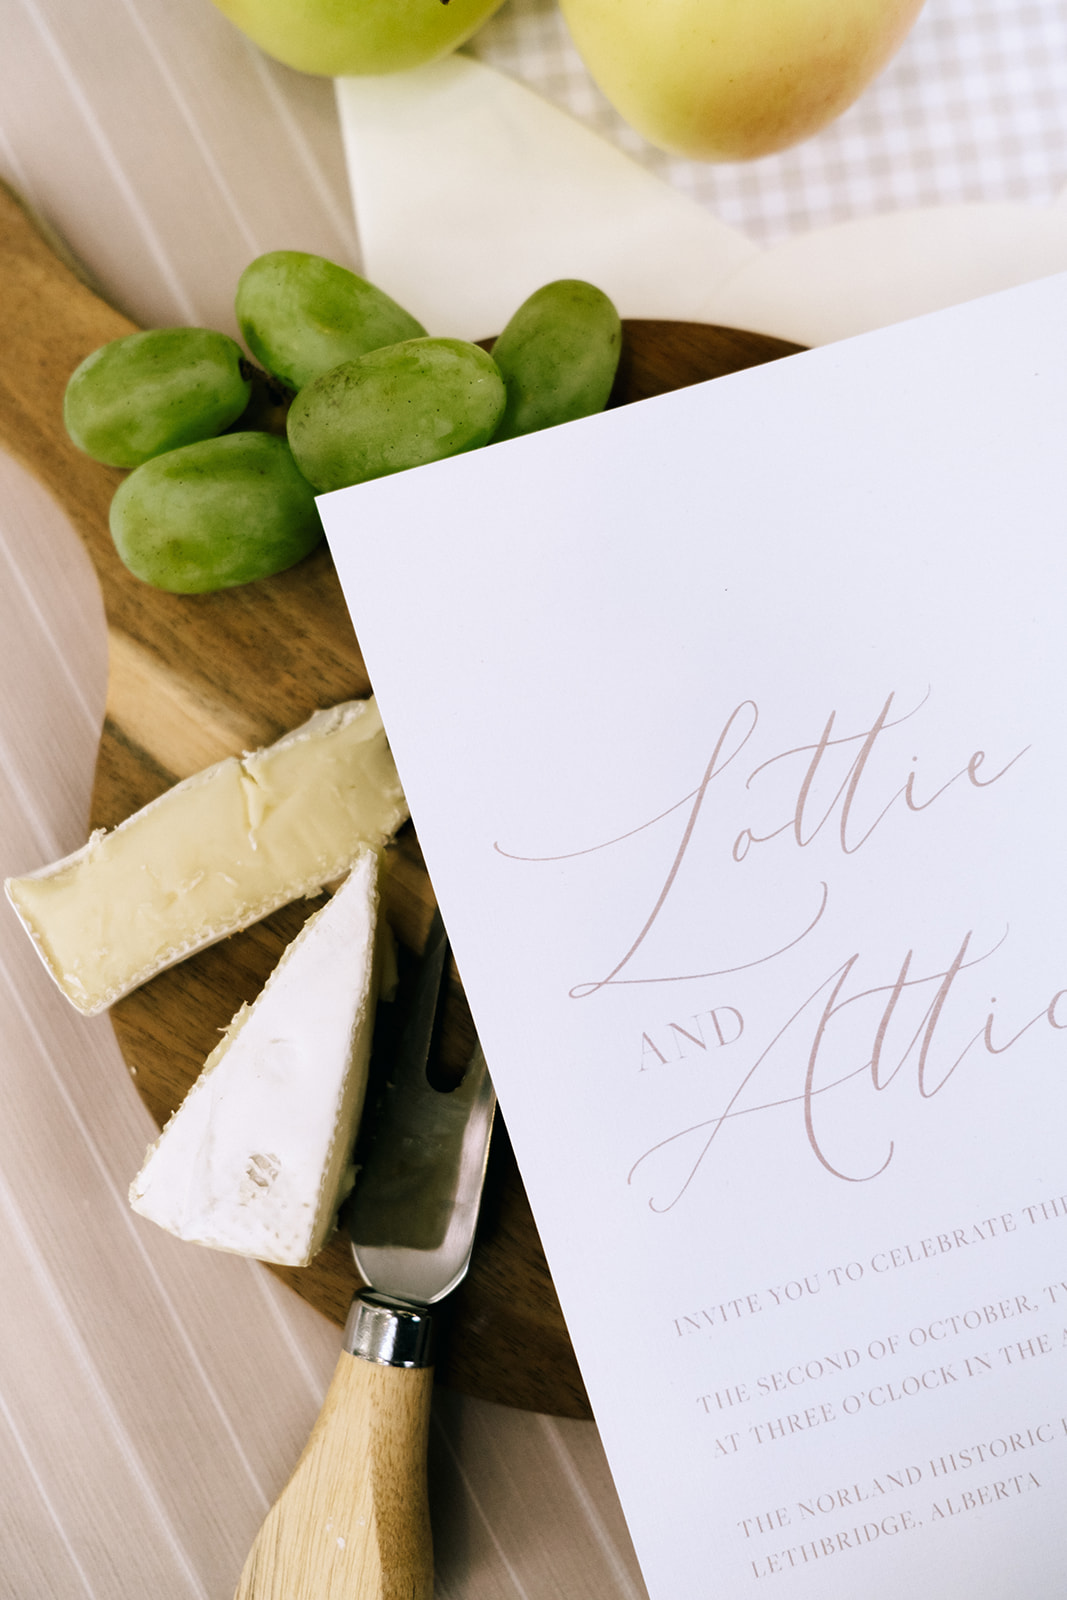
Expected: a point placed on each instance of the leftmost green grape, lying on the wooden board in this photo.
(154, 391)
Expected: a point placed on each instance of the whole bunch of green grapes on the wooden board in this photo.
(217, 497)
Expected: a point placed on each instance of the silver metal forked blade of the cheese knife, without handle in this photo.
(415, 1207)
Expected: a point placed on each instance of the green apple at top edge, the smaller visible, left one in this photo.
(342, 38)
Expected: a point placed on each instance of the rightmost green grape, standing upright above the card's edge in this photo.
(559, 358)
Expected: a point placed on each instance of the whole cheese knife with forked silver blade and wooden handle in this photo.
(353, 1522)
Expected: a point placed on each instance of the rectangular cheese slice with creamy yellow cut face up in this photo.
(214, 855)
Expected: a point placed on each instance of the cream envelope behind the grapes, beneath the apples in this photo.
(471, 191)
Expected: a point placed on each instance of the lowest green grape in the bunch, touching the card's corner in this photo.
(215, 514)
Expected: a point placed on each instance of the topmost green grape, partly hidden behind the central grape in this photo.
(302, 314)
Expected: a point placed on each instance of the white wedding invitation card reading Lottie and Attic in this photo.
(735, 732)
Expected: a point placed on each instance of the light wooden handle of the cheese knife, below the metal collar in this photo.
(353, 1522)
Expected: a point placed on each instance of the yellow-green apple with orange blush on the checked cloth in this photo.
(729, 81)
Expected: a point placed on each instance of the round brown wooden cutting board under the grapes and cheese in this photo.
(199, 678)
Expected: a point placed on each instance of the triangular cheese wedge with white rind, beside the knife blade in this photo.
(257, 1159)
